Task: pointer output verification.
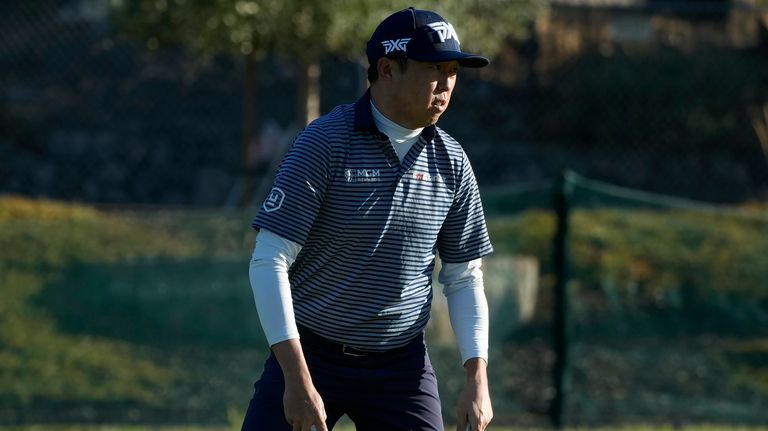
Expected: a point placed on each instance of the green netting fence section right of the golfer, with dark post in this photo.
(654, 307)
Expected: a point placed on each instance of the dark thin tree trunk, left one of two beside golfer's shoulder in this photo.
(249, 141)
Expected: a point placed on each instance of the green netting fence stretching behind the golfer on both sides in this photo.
(633, 308)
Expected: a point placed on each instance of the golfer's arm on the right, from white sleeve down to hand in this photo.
(468, 311)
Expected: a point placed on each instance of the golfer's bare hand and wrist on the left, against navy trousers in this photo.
(302, 403)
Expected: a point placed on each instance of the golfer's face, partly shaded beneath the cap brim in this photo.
(422, 92)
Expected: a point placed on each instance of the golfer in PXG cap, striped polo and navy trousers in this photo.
(341, 273)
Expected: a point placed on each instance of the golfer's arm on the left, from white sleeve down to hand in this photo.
(268, 273)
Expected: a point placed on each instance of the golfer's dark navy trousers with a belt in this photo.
(390, 391)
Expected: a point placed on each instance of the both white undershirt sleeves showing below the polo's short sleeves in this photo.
(268, 273)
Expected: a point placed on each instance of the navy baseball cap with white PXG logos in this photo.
(421, 35)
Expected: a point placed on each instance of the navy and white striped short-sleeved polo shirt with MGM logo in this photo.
(370, 225)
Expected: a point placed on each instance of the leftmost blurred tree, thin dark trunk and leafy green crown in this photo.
(244, 30)
